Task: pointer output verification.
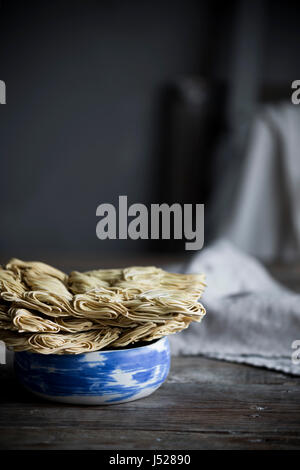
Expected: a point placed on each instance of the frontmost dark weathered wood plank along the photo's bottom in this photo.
(90, 439)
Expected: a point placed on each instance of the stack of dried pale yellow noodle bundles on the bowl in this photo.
(46, 311)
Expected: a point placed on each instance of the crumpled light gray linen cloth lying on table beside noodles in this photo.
(250, 317)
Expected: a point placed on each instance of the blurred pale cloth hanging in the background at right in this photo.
(270, 172)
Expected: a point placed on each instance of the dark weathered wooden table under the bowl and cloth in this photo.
(204, 404)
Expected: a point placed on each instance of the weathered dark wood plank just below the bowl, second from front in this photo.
(205, 419)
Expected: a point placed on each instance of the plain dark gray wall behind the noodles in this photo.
(83, 119)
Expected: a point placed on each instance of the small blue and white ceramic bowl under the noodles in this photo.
(96, 378)
